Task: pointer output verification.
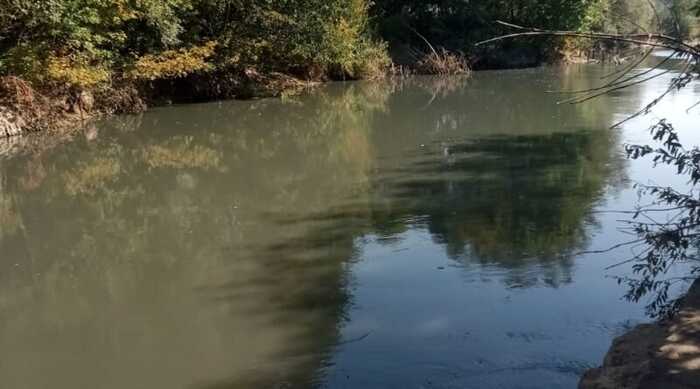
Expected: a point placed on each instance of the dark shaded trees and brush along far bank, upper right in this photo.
(457, 24)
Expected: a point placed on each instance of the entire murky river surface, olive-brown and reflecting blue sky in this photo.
(414, 234)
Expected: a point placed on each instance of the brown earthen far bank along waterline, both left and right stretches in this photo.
(27, 109)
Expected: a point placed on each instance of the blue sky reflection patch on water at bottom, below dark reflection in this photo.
(430, 320)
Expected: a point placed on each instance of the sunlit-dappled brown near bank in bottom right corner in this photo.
(658, 355)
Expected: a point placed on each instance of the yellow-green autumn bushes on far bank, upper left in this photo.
(166, 39)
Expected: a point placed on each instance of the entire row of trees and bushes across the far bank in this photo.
(93, 44)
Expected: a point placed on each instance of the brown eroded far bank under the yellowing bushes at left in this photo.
(25, 109)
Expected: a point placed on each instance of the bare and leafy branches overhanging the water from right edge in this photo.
(676, 240)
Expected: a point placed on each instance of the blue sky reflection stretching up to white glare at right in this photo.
(422, 320)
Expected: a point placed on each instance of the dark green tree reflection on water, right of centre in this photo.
(512, 202)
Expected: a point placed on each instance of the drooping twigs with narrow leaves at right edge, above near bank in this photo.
(670, 244)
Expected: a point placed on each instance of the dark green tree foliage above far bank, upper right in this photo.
(457, 24)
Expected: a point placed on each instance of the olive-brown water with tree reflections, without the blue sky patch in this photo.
(209, 245)
